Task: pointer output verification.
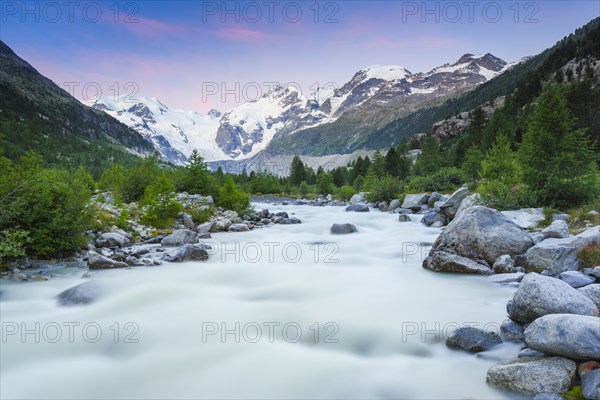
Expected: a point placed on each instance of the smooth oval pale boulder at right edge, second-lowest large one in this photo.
(567, 335)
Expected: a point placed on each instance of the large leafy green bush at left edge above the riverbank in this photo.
(51, 205)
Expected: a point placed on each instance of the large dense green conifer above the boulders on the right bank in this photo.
(558, 165)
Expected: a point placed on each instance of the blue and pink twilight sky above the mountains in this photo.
(200, 55)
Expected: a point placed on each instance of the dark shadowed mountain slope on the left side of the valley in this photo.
(36, 114)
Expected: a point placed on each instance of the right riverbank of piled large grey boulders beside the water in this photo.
(554, 313)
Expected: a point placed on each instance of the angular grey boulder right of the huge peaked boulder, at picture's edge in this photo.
(559, 255)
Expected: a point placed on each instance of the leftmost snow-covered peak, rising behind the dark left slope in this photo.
(174, 133)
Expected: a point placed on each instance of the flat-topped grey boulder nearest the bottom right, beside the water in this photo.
(533, 375)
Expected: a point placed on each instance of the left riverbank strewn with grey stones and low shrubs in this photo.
(137, 245)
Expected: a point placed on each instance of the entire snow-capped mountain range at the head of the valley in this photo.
(374, 95)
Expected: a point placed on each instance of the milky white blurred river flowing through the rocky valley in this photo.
(370, 294)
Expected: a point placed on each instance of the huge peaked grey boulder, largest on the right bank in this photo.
(482, 233)
